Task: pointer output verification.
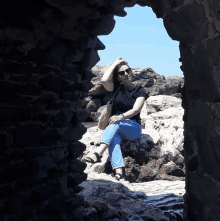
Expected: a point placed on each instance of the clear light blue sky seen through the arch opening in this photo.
(141, 39)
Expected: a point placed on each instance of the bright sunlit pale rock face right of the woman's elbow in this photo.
(165, 122)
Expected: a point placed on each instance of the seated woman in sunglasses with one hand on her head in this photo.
(125, 121)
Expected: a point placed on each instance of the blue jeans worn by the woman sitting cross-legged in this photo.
(113, 135)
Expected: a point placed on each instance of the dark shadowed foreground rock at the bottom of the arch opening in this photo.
(106, 200)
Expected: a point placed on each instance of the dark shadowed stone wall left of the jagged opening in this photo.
(45, 71)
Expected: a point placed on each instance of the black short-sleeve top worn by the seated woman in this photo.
(125, 100)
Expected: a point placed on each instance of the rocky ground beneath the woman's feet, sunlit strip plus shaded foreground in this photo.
(107, 199)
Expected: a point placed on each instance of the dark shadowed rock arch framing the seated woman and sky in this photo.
(47, 50)
